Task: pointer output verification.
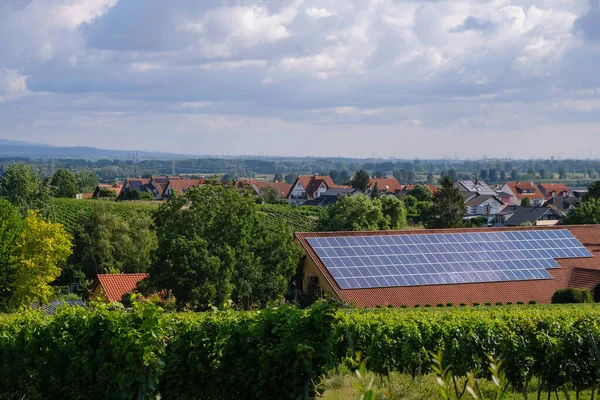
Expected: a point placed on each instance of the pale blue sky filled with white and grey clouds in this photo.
(357, 78)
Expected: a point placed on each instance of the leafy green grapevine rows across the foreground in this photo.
(283, 353)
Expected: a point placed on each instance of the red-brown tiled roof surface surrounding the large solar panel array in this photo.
(539, 290)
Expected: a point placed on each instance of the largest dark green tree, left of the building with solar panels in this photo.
(213, 247)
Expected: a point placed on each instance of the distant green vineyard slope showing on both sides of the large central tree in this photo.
(66, 212)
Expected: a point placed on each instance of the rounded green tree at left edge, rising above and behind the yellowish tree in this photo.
(21, 186)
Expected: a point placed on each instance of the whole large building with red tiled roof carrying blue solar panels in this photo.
(417, 267)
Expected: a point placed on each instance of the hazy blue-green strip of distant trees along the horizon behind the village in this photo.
(340, 169)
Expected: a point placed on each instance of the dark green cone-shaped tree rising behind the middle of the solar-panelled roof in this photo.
(448, 207)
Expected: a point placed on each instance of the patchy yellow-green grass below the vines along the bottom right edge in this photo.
(339, 386)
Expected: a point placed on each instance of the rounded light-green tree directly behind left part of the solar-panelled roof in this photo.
(353, 213)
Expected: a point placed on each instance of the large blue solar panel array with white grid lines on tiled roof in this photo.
(357, 262)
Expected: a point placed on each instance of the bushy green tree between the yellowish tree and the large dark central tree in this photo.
(109, 243)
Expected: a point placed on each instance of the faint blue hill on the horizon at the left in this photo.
(15, 148)
